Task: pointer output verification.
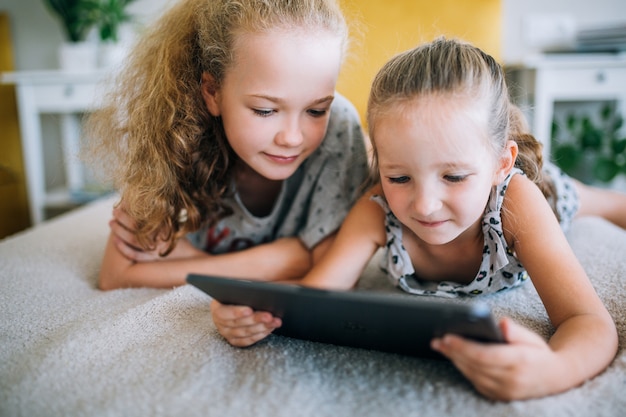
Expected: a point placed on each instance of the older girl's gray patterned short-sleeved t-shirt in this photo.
(313, 201)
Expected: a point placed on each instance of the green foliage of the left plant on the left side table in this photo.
(77, 17)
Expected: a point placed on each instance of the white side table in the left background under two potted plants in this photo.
(68, 95)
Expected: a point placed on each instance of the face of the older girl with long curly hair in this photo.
(275, 100)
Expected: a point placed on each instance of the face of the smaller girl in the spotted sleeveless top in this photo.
(435, 166)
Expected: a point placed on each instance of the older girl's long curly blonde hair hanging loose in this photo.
(153, 135)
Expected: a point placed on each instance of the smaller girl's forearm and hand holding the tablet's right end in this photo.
(526, 366)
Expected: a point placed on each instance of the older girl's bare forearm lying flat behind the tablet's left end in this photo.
(283, 259)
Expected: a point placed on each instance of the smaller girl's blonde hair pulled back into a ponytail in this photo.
(453, 67)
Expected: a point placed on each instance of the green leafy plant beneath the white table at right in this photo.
(591, 150)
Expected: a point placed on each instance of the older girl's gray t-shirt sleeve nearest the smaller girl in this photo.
(339, 169)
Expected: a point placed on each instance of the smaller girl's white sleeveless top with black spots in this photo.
(499, 270)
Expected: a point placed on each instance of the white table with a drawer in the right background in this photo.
(541, 81)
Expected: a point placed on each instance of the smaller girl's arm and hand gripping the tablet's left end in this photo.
(339, 267)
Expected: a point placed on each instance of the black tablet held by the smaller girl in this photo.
(361, 319)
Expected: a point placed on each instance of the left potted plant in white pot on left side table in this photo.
(78, 18)
